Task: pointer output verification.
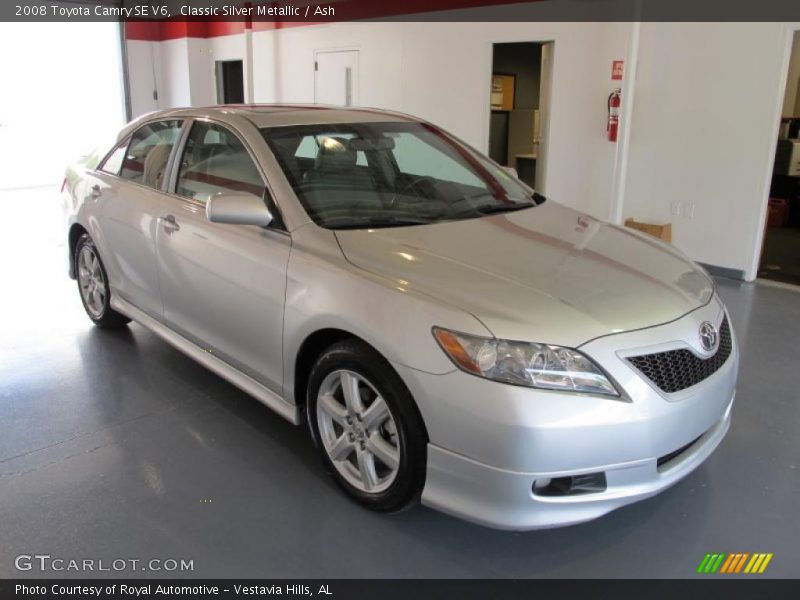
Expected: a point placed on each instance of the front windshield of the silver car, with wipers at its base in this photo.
(366, 175)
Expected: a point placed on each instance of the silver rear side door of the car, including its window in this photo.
(130, 184)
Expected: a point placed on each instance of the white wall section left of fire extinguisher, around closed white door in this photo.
(442, 72)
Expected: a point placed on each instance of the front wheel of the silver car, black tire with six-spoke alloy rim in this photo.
(367, 427)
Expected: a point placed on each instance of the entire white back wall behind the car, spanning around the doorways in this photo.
(703, 117)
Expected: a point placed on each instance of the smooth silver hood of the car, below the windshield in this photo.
(545, 274)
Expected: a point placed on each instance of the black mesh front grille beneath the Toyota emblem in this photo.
(676, 370)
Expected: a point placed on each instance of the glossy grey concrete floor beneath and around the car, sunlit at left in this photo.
(114, 445)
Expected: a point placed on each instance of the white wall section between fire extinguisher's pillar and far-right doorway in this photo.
(707, 104)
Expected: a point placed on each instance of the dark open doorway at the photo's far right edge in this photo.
(780, 252)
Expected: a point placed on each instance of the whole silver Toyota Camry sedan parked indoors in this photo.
(448, 335)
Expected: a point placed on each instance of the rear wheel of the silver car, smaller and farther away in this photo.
(93, 286)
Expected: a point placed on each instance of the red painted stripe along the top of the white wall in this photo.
(345, 10)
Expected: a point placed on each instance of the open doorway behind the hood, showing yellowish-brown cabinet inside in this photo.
(520, 98)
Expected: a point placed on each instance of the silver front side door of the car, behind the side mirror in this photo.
(223, 286)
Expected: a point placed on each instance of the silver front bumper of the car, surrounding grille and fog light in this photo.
(490, 442)
